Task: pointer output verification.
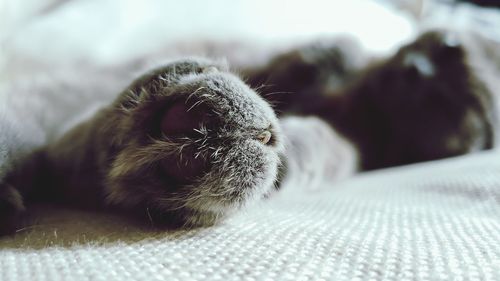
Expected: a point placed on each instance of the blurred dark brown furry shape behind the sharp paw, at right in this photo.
(423, 103)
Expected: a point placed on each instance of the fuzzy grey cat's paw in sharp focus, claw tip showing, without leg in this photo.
(192, 142)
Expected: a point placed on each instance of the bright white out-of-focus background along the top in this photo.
(109, 31)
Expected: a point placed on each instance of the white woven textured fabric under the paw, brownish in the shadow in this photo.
(431, 221)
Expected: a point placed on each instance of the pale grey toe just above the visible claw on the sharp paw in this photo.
(230, 98)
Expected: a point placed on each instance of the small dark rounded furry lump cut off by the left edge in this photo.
(11, 209)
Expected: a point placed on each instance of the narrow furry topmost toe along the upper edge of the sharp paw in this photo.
(159, 80)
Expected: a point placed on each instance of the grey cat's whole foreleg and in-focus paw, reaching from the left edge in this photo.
(187, 143)
